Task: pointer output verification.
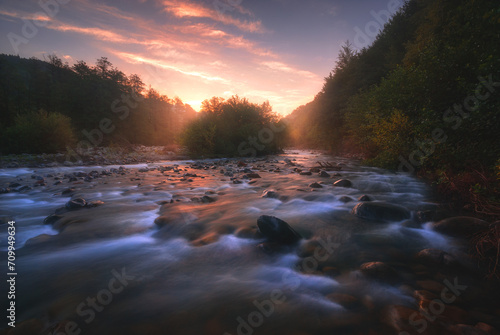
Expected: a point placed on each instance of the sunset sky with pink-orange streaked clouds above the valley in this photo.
(276, 50)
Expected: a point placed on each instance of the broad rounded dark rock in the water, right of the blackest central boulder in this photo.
(381, 211)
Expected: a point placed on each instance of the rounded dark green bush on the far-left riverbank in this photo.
(38, 132)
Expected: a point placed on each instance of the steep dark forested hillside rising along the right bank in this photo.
(424, 97)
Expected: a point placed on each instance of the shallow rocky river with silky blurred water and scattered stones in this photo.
(300, 243)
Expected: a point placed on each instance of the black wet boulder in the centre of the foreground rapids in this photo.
(277, 230)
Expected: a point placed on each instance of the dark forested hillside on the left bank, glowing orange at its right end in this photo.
(49, 106)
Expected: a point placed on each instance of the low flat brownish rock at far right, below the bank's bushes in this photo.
(460, 226)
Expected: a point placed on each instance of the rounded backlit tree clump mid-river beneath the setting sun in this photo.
(234, 127)
